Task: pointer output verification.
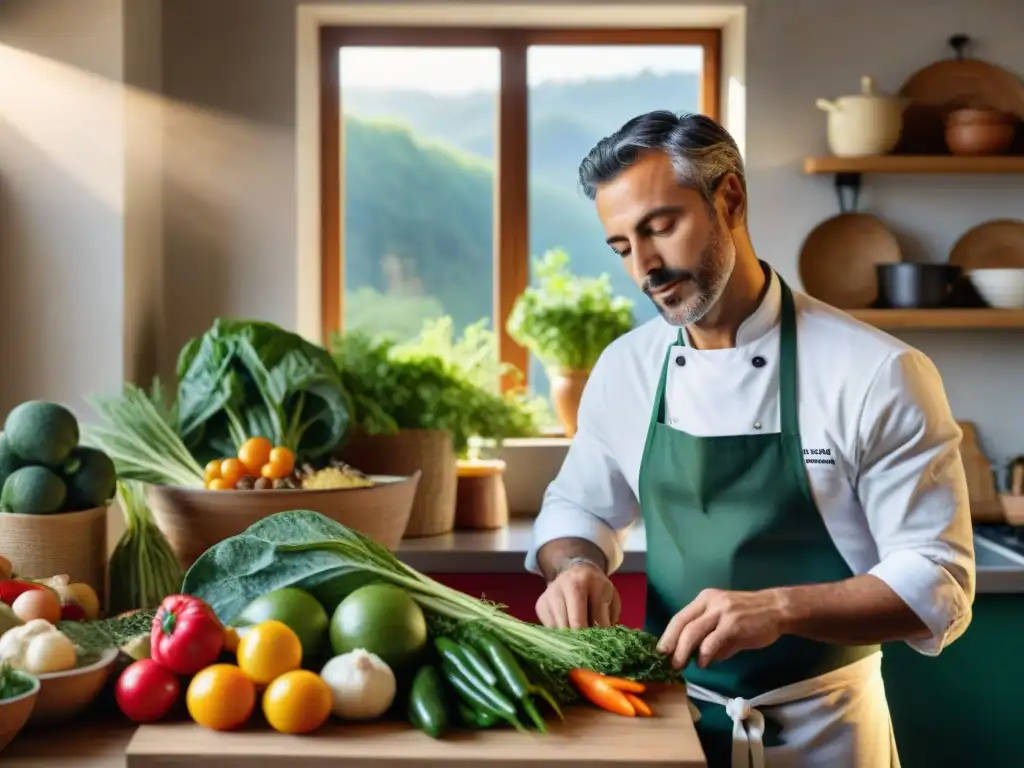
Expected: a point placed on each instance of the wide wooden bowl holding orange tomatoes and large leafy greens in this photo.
(195, 520)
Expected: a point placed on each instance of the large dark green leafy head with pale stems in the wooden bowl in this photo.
(250, 378)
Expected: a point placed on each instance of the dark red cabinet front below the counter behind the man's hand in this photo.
(520, 592)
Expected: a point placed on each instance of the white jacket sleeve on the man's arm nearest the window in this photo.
(590, 498)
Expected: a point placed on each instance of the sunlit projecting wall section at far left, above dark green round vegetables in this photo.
(80, 214)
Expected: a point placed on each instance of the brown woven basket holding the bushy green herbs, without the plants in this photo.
(428, 451)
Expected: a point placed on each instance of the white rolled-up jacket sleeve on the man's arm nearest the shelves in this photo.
(914, 490)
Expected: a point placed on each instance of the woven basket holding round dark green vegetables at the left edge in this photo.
(73, 543)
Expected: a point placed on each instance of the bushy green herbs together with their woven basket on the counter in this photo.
(417, 406)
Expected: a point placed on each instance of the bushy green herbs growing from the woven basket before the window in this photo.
(435, 382)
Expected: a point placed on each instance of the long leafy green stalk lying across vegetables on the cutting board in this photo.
(310, 551)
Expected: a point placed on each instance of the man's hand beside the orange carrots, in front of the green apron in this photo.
(719, 624)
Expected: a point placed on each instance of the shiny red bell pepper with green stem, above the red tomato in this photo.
(187, 635)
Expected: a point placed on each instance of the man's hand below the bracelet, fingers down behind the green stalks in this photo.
(581, 596)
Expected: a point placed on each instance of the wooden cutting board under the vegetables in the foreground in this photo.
(589, 737)
